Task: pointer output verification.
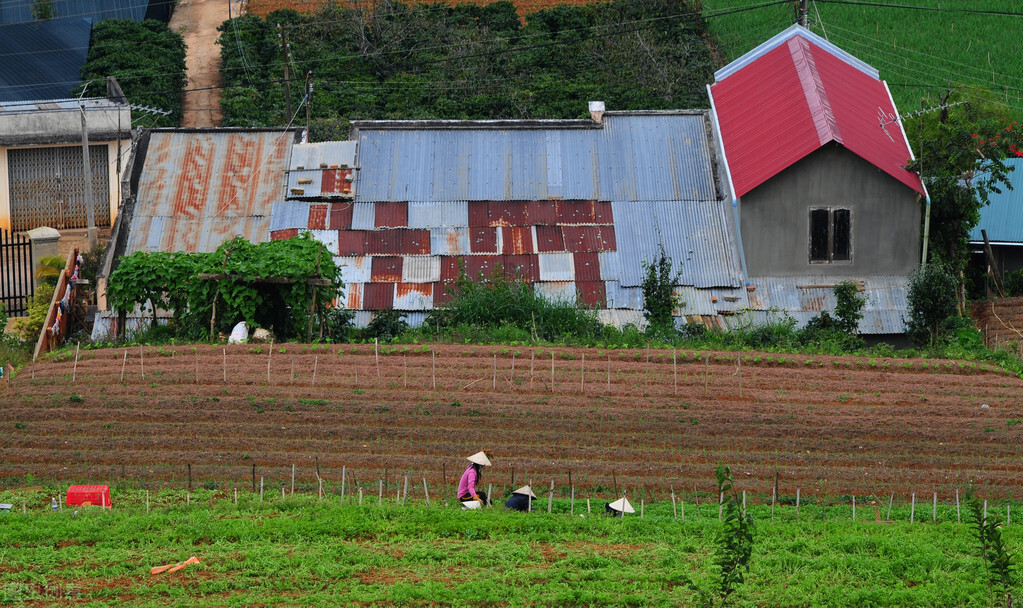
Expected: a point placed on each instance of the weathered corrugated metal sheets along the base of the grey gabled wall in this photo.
(805, 297)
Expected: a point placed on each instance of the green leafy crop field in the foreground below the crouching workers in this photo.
(302, 552)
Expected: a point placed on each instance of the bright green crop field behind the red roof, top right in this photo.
(918, 53)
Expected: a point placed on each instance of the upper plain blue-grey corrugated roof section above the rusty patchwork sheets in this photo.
(650, 157)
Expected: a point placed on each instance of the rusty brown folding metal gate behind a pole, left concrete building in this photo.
(48, 187)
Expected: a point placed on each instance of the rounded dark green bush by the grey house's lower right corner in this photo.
(932, 300)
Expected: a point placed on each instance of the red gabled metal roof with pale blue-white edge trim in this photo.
(796, 94)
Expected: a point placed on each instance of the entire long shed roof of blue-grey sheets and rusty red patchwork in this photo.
(546, 201)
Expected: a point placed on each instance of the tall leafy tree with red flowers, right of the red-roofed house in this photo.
(963, 162)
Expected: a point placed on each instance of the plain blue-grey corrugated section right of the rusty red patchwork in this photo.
(694, 235)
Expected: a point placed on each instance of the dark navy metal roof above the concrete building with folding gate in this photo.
(41, 60)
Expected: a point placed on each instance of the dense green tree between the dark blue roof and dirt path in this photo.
(149, 61)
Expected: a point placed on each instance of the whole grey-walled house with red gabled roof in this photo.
(815, 158)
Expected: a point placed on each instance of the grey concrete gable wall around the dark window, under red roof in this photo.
(886, 219)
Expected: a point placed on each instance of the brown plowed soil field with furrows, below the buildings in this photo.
(826, 425)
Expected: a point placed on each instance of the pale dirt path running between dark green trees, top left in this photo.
(198, 22)
